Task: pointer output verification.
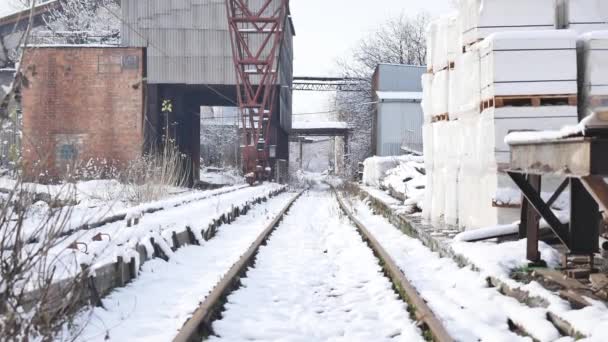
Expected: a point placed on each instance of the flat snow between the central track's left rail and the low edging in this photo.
(156, 305)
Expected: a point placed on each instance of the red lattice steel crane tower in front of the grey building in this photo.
(256, 33)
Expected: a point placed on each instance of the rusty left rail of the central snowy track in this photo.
(198, 327)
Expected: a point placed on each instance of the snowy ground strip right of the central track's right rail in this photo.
(469, 286)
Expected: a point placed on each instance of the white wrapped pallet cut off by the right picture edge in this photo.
(593, 77)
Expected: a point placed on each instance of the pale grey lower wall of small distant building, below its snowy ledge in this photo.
(399, 125)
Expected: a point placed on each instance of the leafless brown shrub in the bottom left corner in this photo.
(37, 301)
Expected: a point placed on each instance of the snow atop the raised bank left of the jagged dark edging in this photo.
(118, 240)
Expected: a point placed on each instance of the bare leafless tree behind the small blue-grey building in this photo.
(401, 40)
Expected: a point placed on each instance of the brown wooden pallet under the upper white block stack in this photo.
(529, 101)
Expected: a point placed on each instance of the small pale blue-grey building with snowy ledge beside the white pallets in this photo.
(398, 117)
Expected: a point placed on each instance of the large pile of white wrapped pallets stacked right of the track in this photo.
(514, 72)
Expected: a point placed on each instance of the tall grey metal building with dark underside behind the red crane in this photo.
(189, 61)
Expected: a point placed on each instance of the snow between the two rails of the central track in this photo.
(315, 280)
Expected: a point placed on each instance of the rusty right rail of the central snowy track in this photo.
(422, 311)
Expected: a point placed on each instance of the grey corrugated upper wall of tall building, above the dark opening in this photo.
(188, 42)
